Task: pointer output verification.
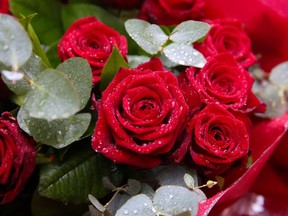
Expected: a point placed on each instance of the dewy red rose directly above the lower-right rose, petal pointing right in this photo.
(223, 81)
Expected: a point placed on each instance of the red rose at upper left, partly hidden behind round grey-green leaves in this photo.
(90, 39)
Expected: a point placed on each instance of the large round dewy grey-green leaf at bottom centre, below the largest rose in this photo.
(174, 200)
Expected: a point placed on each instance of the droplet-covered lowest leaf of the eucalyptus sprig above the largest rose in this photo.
(184, 55)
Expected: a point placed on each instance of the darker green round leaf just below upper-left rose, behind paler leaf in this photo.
(79, 72)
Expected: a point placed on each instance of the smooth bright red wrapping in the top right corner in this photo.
(266, 23)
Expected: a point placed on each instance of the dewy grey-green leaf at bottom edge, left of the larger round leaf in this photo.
(139, 205)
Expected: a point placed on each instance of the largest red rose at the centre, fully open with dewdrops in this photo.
(140, 115)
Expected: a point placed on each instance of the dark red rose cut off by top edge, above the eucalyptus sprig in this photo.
(170, 12)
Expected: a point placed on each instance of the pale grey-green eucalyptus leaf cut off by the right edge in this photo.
(279, 75)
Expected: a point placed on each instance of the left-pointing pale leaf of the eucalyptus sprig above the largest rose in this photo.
(149, 37)
